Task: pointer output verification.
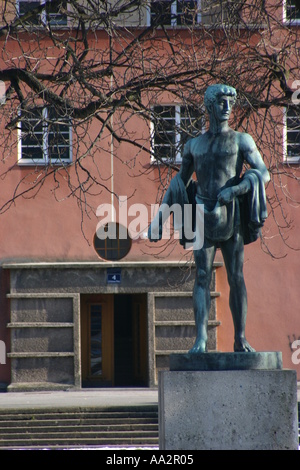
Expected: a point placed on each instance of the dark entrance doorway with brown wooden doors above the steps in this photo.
(114, 343)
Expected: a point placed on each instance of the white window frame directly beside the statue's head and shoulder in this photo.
(178, 157)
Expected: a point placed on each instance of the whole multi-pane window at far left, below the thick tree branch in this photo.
(44, 138)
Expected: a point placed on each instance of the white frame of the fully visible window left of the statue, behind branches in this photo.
(45, 159)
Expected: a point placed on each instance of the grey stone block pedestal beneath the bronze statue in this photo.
(227, 408)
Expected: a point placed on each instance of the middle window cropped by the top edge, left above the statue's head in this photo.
(175, 12)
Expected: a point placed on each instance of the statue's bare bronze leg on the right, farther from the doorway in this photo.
(233, 254)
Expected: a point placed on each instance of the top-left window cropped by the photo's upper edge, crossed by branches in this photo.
(53, 13)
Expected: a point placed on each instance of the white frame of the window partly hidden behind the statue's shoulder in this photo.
(177, 137)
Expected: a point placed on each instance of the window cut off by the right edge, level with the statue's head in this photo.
(292, 138)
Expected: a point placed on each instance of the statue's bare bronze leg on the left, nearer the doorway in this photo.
(201, 297)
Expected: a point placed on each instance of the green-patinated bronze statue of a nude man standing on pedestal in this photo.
(217, 157)
